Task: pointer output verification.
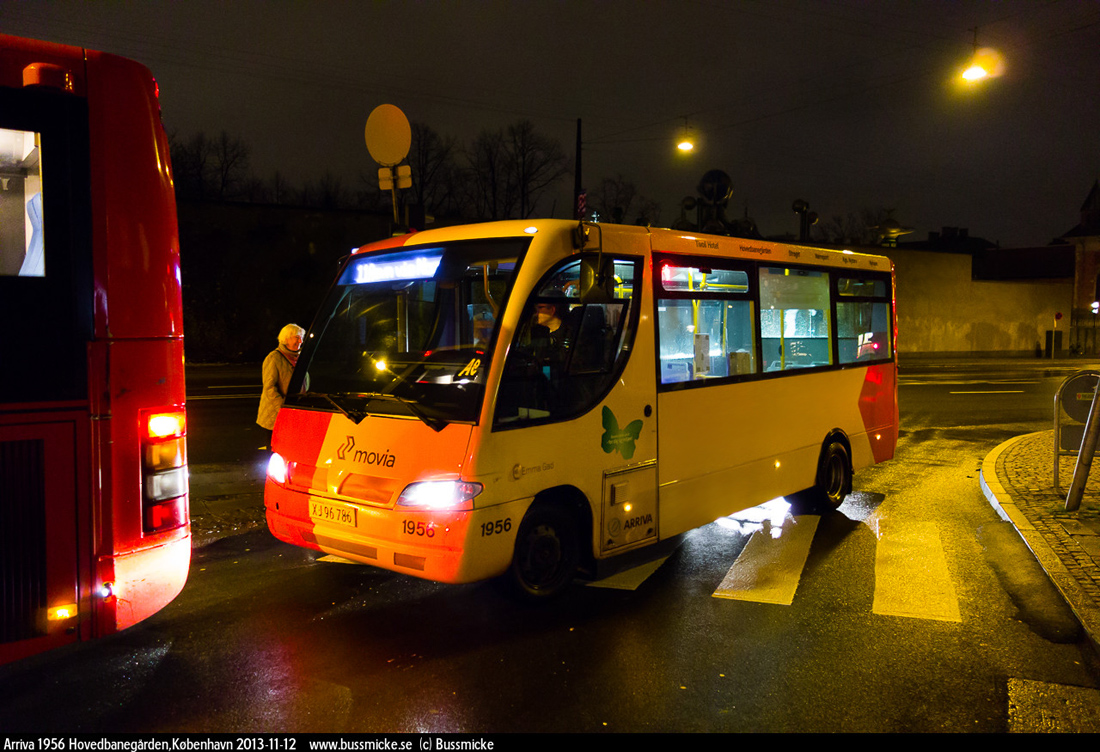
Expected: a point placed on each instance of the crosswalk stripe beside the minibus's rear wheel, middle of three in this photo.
(769, 569)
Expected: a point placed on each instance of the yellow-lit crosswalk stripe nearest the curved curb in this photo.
(911, 576)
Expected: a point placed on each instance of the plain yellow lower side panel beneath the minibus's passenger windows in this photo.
(730, 448)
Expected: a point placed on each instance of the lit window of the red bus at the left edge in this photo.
(21, 244)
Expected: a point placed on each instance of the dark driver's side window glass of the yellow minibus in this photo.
(566, 352)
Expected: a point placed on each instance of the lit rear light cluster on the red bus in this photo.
(164, 470)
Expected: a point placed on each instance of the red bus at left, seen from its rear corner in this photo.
(95, 533)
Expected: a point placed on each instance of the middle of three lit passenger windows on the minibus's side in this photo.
(795, 319)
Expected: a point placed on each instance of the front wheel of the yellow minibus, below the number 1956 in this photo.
(547, 554)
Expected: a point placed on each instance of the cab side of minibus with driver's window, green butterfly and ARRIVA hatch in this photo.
(581, 371)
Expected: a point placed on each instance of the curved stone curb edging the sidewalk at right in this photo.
(1081, 604)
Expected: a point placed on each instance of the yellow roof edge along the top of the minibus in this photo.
(661, 240)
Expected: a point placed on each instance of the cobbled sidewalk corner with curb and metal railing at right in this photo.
(1018, 479)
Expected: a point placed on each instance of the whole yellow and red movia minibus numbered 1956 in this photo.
(535, 400)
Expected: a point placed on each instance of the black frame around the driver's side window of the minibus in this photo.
(628, 337)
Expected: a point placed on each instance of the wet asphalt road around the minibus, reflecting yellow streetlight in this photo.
(271, 638)
